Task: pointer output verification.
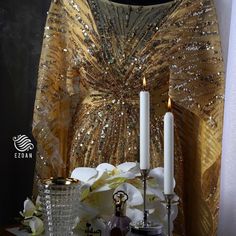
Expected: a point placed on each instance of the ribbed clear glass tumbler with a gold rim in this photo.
(59, 198)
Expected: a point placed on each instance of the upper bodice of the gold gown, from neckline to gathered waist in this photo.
(117, 49)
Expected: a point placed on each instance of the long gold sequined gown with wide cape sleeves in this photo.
(95, 54)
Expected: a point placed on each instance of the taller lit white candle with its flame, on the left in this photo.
(144, 128)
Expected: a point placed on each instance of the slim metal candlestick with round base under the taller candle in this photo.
(145, 227)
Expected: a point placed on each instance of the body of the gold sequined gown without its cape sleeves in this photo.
(117, 51)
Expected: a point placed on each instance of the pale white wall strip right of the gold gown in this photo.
(227, 20)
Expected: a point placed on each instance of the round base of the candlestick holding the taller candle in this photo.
(149, 229)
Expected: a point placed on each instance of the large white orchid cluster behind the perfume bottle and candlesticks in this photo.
(99, 184)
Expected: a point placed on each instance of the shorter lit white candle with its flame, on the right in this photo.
(169, 151)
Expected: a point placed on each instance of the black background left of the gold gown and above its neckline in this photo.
(21, 33)
